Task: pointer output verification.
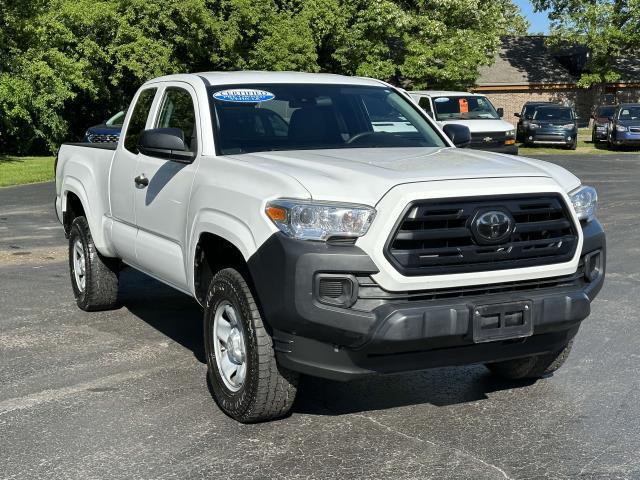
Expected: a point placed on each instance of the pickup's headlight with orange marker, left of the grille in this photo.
(308, 220)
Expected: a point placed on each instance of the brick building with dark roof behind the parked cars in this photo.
(526, 69)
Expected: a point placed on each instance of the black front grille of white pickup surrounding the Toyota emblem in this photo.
(435, 236)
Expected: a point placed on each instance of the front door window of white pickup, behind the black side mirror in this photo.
(176, 111)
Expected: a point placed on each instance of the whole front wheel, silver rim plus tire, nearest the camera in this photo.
(246, 382)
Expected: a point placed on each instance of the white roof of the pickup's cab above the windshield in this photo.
(248, 77)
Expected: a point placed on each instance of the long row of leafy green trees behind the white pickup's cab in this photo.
(66, 64)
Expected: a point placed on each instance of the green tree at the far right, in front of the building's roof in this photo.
(609, 29)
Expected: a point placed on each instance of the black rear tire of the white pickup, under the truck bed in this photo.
(101, 273)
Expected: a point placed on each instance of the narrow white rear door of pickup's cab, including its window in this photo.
(123, 173)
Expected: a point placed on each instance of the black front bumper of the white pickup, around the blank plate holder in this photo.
(383, 332)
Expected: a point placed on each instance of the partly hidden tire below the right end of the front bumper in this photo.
(531, 367)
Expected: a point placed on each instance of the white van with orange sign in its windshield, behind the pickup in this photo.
(488, 130)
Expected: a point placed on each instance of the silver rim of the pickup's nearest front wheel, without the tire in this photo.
(229, 346)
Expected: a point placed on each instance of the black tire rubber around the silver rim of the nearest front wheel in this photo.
(269, 390)
